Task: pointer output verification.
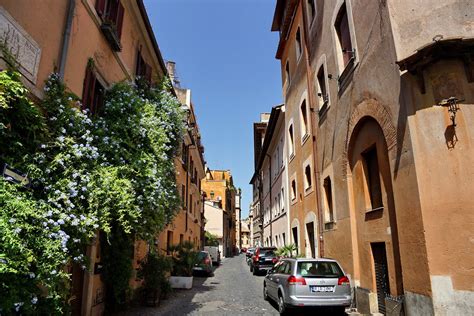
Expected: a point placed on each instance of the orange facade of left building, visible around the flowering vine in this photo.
(93, 44)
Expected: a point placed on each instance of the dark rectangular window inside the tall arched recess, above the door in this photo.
(373, 178)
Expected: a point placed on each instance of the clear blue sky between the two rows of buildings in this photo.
(225, 53)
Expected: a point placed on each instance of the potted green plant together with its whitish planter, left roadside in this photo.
(184, 258)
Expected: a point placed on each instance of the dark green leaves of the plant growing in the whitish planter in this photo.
(184, 258)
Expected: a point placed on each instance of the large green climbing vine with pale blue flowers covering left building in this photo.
(113, 173)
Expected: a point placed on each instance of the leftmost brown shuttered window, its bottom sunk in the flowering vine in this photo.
(93, 92)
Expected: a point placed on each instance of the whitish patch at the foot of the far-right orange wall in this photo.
(448, 301)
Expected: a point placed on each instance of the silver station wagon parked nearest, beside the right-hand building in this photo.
(307, 282)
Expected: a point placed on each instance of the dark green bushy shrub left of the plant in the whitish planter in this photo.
(154, 271)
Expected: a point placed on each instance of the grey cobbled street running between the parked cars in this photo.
(233, 290)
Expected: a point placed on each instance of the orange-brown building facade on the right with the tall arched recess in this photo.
(389, 89)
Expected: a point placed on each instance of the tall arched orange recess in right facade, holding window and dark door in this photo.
(374, 211)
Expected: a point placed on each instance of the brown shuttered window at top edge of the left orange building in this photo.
(111, 12)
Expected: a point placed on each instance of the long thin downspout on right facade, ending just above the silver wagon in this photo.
(314, 130)
